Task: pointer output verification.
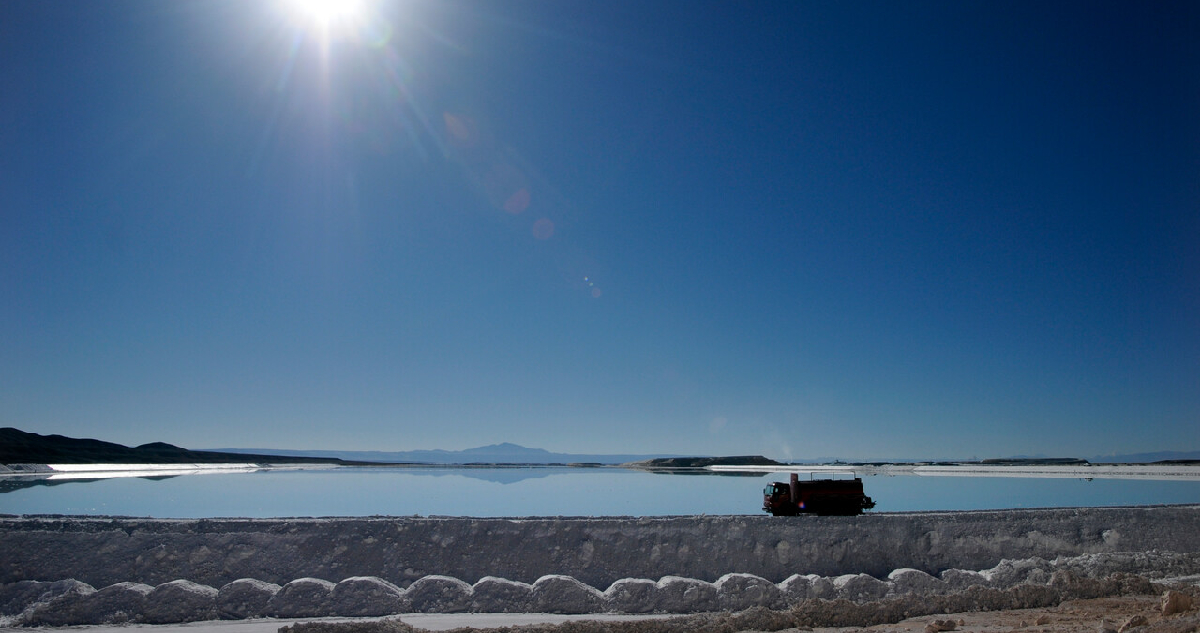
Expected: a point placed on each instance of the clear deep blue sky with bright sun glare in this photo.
(797, 230)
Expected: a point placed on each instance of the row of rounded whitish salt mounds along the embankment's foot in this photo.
(1012, 584)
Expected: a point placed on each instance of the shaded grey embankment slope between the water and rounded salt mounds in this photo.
(595, 551)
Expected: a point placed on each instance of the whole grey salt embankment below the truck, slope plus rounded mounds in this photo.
(176, 570)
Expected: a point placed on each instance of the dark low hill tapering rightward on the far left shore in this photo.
(21, 448)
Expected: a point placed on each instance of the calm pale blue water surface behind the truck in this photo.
(530, 492)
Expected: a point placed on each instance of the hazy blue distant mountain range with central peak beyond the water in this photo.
(495, 454)
